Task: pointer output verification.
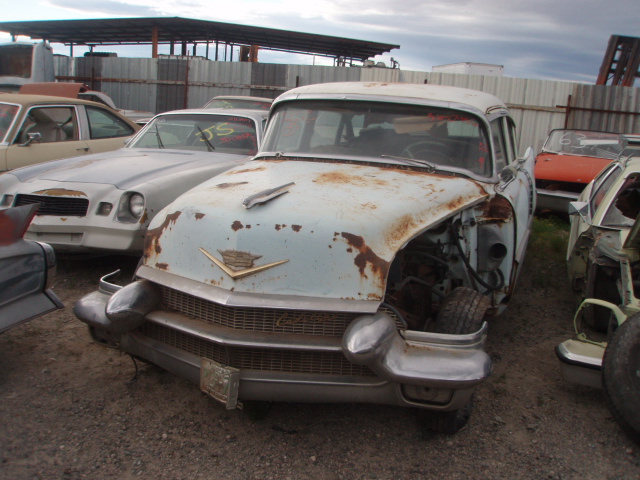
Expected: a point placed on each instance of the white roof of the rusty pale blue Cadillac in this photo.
(482, 101)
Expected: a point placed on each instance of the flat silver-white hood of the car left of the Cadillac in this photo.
(122, 168)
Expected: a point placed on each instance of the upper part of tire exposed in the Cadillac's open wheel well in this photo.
(461, 312)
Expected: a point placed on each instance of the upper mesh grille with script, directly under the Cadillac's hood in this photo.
(300, 322)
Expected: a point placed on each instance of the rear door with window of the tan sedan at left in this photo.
(105, 130)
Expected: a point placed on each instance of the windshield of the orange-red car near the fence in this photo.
(585, 142)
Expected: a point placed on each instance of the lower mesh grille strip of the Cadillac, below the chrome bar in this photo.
(322, 363)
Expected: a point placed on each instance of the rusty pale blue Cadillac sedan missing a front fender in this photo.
(354, 259)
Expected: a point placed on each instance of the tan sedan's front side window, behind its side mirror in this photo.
(49, 124)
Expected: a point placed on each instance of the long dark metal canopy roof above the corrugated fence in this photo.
(172, 30)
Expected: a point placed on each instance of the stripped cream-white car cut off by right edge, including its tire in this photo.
(604, 269)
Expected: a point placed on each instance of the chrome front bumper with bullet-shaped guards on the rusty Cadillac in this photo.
(411, 368)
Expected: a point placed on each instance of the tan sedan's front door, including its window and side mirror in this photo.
(47, 132)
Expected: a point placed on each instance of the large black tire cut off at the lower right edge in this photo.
(621, 376)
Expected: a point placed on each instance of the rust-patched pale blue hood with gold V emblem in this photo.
(332, 235)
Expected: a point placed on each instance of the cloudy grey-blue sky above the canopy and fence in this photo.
(543, 39)
